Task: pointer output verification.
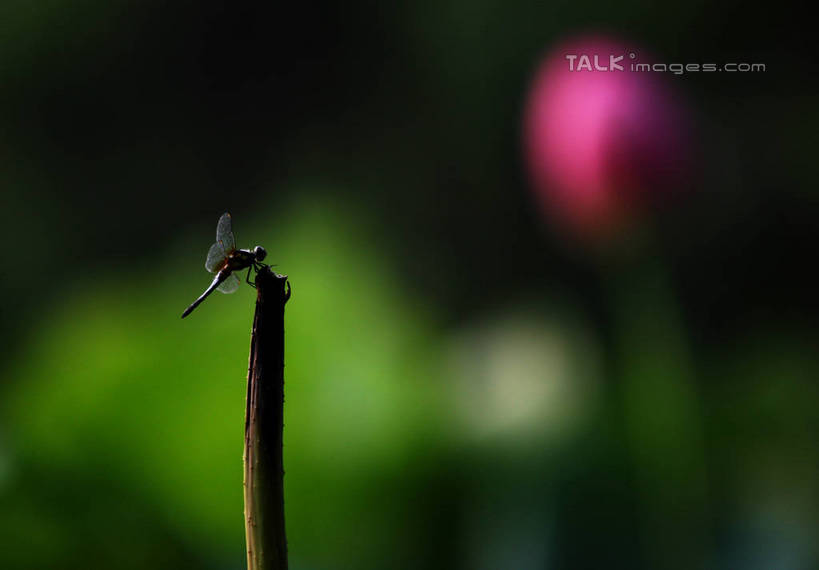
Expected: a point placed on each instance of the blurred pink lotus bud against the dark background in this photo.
(603, 139)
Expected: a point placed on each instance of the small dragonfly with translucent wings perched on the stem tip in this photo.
(224, 260)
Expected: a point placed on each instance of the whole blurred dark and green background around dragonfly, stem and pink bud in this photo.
(375, 151)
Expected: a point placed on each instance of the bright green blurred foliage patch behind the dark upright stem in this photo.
(115, 387)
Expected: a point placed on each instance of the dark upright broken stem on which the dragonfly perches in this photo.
(264, 421)
